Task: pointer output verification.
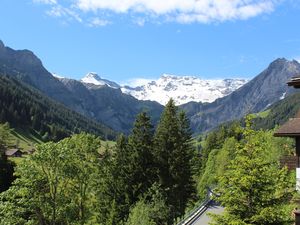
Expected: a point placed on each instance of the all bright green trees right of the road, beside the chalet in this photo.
(242, 166)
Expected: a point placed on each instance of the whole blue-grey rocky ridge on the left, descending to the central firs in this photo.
(108, 106)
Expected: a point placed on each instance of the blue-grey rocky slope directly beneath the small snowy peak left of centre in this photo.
(110, 105)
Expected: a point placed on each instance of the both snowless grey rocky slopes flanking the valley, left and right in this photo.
(118, 110)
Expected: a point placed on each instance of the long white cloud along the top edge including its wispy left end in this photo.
(181, 11)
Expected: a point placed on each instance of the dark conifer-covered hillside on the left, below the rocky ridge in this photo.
(24, 107)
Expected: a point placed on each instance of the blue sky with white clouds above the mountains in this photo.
(128, 40)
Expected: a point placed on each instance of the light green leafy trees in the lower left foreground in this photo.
(54, 185)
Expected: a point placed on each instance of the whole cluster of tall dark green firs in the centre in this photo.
(136, 164)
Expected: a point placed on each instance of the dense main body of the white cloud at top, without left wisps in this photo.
(184, 11)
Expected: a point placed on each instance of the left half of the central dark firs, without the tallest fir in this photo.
(128, 173)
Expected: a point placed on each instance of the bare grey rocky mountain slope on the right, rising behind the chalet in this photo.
(262, 91)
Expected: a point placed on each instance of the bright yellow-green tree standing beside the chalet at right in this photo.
(253, 189)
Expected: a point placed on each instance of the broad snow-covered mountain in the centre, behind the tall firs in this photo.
(184, 89)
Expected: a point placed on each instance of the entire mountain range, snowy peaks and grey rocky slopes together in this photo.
(207, 103)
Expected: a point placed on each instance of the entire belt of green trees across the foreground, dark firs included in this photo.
(151, 177)
